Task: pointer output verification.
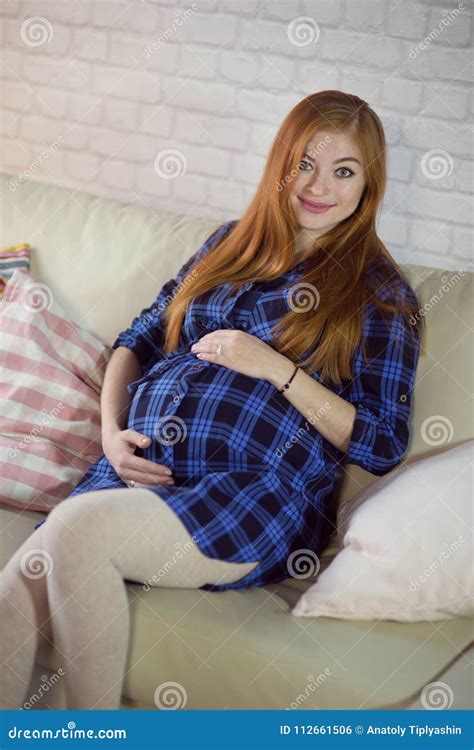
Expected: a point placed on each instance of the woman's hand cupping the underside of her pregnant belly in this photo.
(119, 448)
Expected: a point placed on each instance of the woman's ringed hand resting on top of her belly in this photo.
(241, 352)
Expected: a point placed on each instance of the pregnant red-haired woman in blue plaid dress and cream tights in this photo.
(283, 348)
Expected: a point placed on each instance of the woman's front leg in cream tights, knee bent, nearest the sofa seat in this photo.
(96, 541)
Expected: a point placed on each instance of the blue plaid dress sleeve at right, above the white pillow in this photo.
(381, 392)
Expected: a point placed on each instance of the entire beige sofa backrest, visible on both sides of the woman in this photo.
(107, 260)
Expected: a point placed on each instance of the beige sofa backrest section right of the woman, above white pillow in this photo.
(441, 410)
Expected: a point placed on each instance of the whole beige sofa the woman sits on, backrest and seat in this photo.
(105, 261)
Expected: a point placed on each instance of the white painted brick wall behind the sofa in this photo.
(119, 81)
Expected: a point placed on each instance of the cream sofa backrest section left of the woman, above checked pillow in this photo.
(102, 258)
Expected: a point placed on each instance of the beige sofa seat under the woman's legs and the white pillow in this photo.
(242, 649)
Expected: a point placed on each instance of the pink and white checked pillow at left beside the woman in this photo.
(51, 374)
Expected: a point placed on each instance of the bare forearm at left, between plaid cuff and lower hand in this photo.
(123, 368)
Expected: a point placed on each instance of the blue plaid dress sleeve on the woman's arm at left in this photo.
(145, 335)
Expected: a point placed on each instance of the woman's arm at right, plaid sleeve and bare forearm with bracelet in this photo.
(381, 391)
